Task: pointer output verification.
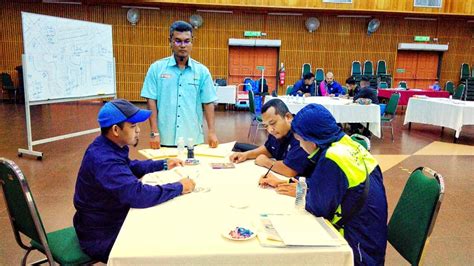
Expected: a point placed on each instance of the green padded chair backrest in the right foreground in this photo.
(414, 216)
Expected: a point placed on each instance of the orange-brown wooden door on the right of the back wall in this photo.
(418, 68)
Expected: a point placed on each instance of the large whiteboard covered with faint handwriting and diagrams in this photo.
(66, 58)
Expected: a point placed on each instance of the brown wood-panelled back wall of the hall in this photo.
(333, 46)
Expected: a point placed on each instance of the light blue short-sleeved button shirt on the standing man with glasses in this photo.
(180, 94)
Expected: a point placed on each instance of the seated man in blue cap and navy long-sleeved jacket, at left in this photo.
(108, 182)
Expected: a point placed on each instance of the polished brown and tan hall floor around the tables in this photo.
(52, 179)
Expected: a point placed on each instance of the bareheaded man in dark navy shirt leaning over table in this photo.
(291, 159)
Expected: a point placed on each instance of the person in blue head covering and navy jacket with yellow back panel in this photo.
(346, 186)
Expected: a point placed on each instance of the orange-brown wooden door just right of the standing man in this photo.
(243, 62)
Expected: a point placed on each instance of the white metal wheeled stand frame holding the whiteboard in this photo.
(31, 143)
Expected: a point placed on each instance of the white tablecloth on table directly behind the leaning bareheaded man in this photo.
(343, 110)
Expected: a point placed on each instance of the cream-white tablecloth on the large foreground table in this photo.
(187, 229)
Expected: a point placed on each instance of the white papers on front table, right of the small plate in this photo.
(304, 230)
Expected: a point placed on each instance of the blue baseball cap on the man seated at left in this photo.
(121, 110)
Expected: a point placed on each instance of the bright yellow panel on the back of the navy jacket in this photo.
(350, 157)
